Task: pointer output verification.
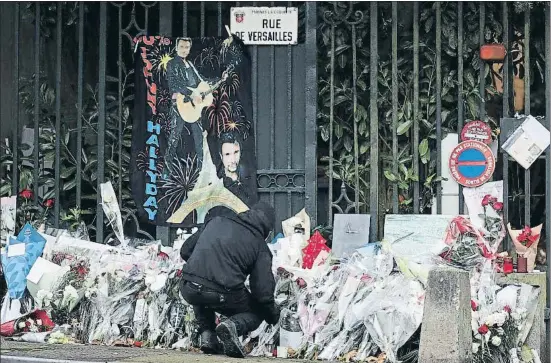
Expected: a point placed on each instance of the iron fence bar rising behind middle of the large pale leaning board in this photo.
(416, 207)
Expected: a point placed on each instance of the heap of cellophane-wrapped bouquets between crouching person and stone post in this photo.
(350, 309)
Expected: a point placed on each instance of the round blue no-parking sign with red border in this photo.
(472, 163)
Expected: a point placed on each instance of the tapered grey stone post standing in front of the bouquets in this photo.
(446, 335)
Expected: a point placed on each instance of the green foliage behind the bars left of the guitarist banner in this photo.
(114, 118)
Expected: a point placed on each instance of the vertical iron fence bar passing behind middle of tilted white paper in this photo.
(527, 76)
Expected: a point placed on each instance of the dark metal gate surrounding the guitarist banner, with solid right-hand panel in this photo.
(90, 109)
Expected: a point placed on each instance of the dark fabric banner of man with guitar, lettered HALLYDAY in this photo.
(192, 96)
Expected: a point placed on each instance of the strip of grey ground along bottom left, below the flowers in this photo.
(12, 352)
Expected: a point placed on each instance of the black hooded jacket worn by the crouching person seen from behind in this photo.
(227, 249)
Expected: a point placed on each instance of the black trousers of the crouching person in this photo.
(237, 305)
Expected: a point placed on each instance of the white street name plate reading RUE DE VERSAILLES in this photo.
(265, 25)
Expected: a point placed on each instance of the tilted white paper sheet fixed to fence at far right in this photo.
(528, 142)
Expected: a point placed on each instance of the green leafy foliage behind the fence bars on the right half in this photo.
(344, 88)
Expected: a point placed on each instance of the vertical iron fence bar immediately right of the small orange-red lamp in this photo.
(506, 111)
